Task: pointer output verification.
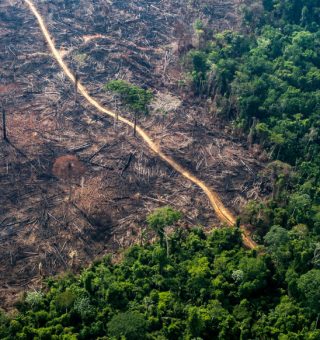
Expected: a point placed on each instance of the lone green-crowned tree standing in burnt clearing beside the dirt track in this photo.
(134, 97)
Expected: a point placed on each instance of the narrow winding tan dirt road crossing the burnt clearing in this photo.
(221, 211)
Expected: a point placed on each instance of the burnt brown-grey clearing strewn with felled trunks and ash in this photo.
(142, 41)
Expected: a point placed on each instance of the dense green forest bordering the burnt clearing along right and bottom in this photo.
(265, 81)
